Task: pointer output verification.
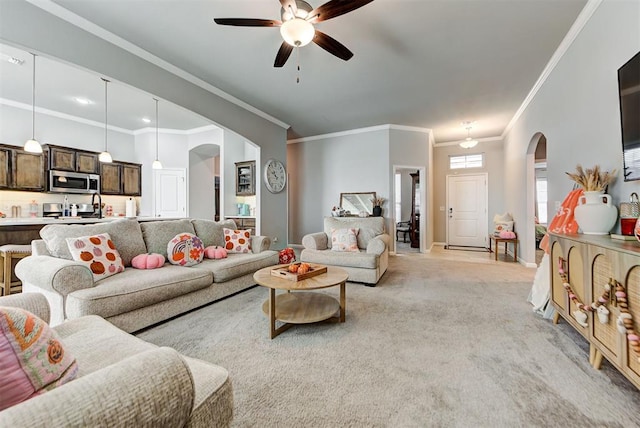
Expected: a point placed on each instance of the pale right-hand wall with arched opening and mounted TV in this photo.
(577, 110)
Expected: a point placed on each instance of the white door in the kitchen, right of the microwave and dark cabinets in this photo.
(170, 192)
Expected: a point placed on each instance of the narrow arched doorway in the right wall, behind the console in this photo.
(537, 208)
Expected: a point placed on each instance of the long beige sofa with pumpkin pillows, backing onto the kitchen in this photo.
(135, 299)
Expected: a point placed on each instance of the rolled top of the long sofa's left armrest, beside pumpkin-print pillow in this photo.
(53, 274)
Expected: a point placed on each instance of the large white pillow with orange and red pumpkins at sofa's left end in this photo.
(98, 252)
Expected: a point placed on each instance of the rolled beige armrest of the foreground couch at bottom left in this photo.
(153, 388)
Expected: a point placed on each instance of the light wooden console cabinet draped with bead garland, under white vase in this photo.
(591, 262)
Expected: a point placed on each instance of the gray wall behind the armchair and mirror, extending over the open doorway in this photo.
(362, 161)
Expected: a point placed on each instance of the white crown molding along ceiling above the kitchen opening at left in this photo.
(90, 27)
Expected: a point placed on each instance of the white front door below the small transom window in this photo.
(467, 210)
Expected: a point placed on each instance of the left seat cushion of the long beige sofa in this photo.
(134, 289)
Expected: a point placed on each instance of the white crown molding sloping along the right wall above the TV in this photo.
(564, 46)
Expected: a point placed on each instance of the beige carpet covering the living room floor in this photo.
(437, 343)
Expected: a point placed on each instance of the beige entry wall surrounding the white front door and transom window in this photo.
(493, 166)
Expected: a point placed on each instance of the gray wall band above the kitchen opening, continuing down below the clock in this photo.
(50, 36)
